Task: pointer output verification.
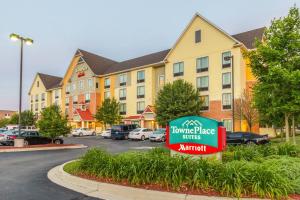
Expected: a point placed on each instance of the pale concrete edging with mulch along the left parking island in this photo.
(41, 147)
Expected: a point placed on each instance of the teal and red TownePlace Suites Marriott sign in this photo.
(196, 135)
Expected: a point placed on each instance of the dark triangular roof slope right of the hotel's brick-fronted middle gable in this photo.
(98, 64)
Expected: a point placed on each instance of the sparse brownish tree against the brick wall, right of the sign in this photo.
(245, 110)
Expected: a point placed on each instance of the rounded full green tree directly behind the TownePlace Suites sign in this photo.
(177, 99)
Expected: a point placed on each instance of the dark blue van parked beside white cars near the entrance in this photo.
(122, 131)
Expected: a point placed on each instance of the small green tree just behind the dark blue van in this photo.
(108, 113)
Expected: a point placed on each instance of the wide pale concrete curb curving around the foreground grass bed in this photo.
(116, 192)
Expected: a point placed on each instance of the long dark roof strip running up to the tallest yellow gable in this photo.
(137, 62)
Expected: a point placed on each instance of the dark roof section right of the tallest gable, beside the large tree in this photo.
(248, 37)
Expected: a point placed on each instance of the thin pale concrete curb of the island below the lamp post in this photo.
(42, 148)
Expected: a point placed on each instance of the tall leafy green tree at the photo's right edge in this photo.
(276, 65)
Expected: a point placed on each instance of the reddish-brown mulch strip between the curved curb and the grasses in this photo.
(158, 187)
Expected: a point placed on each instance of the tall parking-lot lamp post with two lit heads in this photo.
(28, 41)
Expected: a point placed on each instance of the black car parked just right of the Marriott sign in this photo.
(246, 138)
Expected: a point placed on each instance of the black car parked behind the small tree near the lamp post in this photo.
(33, 138)
